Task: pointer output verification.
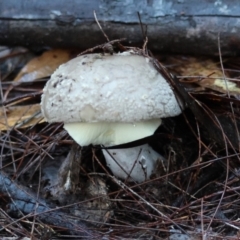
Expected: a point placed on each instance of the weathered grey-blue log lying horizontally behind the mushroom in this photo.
(173, 26)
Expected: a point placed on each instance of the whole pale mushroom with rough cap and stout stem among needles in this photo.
(111, 100)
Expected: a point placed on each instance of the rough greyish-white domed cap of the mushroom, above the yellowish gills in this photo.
(122, 87)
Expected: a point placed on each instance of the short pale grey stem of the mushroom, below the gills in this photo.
(137, 163)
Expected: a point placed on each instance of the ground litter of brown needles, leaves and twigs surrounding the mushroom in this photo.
(196, 195)
